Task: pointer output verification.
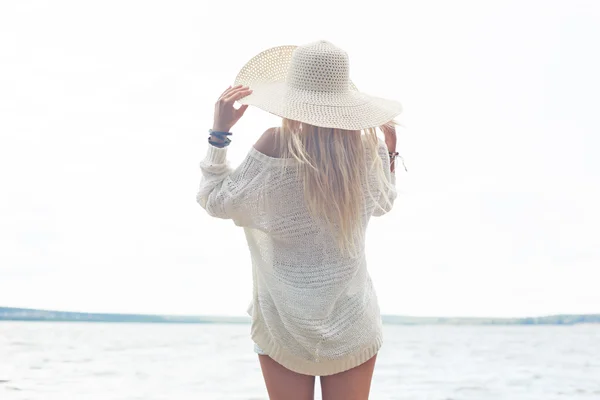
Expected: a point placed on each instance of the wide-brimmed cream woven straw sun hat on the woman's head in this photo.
(311, 84)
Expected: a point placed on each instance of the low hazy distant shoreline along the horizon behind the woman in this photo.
(34, 315)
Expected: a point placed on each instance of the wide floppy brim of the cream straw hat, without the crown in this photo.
(266, 73)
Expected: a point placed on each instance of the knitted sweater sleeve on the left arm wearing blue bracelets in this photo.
(227, 193)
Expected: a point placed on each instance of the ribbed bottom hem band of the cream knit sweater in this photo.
(313, 368)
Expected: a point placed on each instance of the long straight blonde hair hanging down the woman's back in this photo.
(333, 169)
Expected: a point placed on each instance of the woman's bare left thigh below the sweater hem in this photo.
(283, 384)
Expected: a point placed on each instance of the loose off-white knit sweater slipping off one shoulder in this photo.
(313, 310)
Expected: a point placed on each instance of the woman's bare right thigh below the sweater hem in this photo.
(353, 384)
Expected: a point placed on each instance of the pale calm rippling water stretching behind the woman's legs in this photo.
(47, 361)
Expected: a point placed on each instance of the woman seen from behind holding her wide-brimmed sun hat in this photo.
(304, 195)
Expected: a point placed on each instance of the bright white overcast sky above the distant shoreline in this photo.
(104, 111)
